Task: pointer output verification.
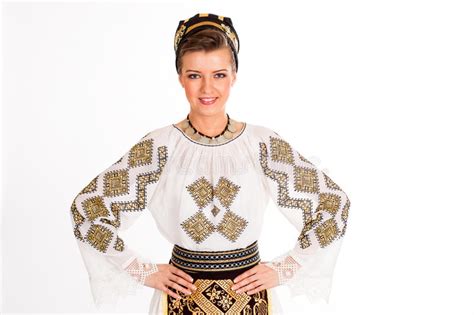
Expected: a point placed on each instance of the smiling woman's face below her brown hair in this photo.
(207, 78)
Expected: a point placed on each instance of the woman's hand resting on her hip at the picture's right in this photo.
(256, 279)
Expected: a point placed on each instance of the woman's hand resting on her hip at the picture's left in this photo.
(169, 276)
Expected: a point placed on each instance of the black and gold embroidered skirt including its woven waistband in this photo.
(213, 273)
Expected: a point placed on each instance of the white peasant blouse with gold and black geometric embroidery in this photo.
(209, 197)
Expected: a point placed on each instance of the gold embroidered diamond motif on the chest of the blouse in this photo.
(198, 227)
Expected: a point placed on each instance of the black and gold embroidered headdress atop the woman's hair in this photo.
(206, 20)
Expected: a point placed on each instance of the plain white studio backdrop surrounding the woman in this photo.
(376, 93)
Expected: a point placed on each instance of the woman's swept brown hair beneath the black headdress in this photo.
(207, 40)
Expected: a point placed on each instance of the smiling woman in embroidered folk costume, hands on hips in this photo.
(207, 180)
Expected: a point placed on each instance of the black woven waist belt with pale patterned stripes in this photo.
(215, 260)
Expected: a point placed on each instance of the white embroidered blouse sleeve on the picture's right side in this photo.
(316, 206)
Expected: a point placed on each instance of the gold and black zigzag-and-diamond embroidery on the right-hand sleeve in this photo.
(321, 194)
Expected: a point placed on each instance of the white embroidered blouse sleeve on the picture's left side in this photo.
(111, 202)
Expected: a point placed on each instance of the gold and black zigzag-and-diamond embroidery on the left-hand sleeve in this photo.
(99, 211)
